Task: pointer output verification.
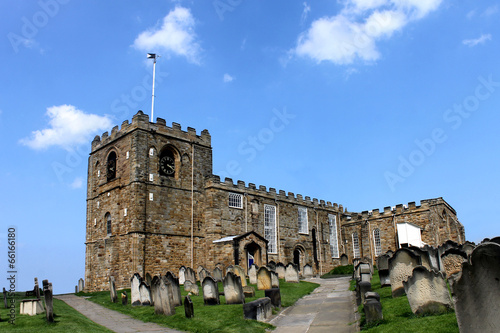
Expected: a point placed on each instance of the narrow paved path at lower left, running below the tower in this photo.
(110, 319)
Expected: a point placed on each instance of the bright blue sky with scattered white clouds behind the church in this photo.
(365, 103)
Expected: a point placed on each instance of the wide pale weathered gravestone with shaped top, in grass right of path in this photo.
(427, 292)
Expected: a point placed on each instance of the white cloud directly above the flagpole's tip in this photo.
(175, 36)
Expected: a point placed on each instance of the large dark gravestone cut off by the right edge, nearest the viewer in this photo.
(476, 292)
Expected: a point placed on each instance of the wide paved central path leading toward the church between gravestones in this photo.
(329, 308)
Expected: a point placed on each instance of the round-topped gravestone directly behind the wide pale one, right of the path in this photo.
(401, 266)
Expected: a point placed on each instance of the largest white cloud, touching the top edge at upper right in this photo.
(355, 31)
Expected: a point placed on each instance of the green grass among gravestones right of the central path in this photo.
(398, 316)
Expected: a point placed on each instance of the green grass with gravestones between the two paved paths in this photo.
(215, 318)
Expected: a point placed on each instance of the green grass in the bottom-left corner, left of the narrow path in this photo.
(66, 319)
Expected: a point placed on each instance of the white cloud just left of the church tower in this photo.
(68, 128)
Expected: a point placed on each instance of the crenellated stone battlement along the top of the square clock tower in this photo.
(141, 121)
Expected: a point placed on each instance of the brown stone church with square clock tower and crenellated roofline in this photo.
(153, 205)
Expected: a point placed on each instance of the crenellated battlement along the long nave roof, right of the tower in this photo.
(240, 187)
